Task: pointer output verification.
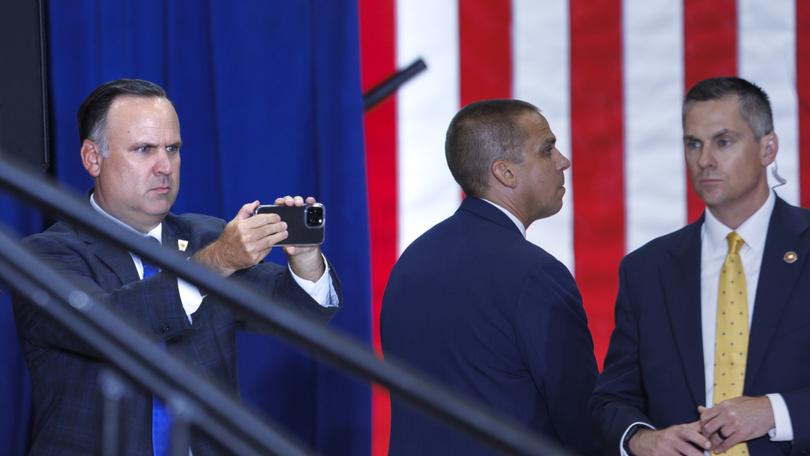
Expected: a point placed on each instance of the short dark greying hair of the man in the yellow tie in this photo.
(755, 107)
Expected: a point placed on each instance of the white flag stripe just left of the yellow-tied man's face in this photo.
(655, 177)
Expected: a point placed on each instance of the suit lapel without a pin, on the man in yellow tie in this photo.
(681, 281)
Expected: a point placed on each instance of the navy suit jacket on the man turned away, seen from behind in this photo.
(476, 306)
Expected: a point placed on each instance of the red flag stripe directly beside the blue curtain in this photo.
(378, 54)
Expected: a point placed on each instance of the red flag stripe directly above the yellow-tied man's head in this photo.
(710, 50)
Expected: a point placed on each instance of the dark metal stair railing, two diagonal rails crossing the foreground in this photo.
(167, 378)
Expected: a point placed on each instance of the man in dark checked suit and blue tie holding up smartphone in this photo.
(130, 145)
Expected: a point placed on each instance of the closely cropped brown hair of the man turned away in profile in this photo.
(481, 133)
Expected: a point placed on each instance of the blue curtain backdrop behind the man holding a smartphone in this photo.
(268, 94)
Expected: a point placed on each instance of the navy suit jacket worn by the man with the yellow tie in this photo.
(654, 368)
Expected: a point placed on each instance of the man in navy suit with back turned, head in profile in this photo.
(478, 307)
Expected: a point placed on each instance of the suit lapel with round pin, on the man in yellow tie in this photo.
(777, 279)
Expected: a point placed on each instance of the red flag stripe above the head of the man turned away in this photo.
(485, 47)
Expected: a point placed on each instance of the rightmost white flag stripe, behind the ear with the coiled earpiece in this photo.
(767, 53)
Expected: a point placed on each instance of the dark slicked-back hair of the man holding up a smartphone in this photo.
(92, 114)
